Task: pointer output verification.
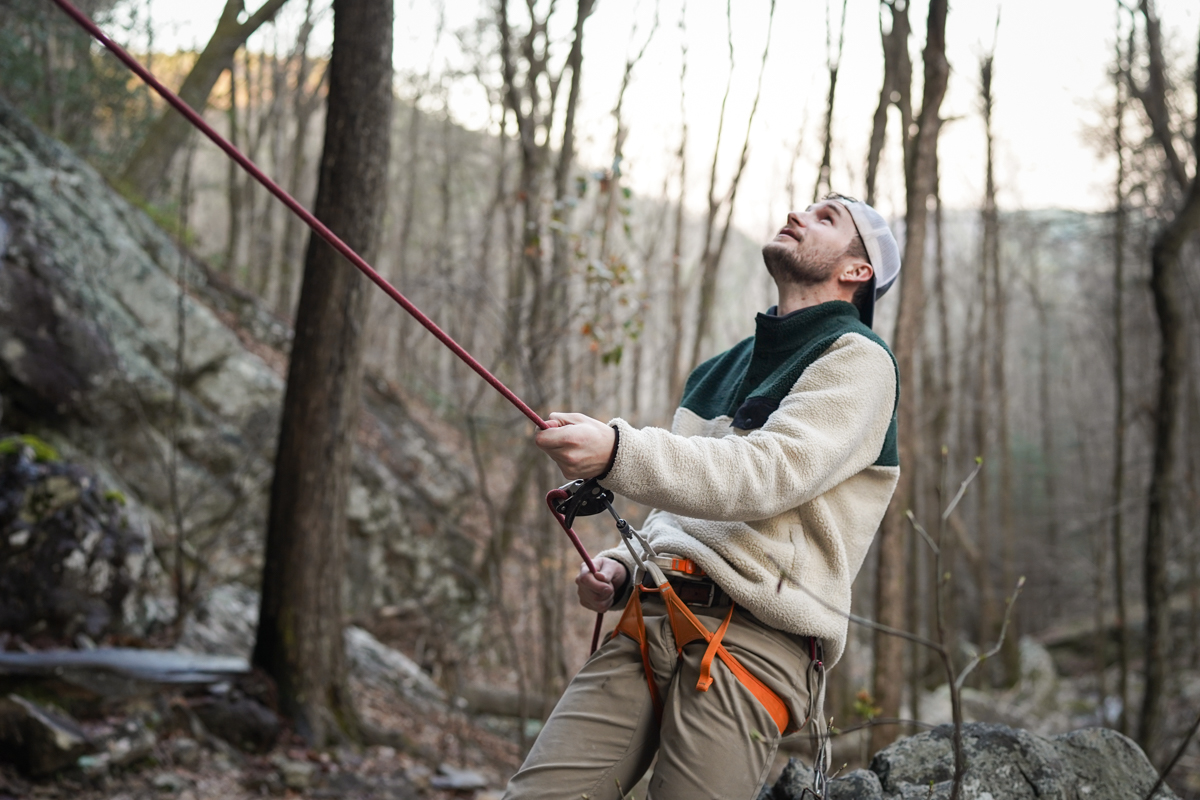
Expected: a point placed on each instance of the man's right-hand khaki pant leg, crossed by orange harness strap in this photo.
(721, 744)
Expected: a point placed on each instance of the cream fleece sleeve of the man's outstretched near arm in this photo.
(830, 426)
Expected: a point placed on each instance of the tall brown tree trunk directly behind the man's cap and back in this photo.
(920, 178)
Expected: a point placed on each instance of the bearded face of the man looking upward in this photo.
(812, 246)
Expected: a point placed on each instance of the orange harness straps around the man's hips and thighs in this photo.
(688, 629)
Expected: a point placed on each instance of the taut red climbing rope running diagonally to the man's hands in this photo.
(320, 228)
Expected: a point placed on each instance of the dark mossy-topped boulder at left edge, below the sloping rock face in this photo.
(73, 560)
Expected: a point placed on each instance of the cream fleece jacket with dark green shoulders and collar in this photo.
(778, 468)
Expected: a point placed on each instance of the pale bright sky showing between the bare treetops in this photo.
(1052, 91)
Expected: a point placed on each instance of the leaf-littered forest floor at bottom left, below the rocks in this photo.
(449, 757)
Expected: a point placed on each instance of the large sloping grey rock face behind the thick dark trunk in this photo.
(93, 299)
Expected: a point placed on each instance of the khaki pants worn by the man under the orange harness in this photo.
(719, 744)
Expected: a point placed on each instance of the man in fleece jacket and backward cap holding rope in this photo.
(767, 494)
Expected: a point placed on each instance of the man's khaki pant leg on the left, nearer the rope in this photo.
(603, 733)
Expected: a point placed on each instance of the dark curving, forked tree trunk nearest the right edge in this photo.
(1167, 287)
